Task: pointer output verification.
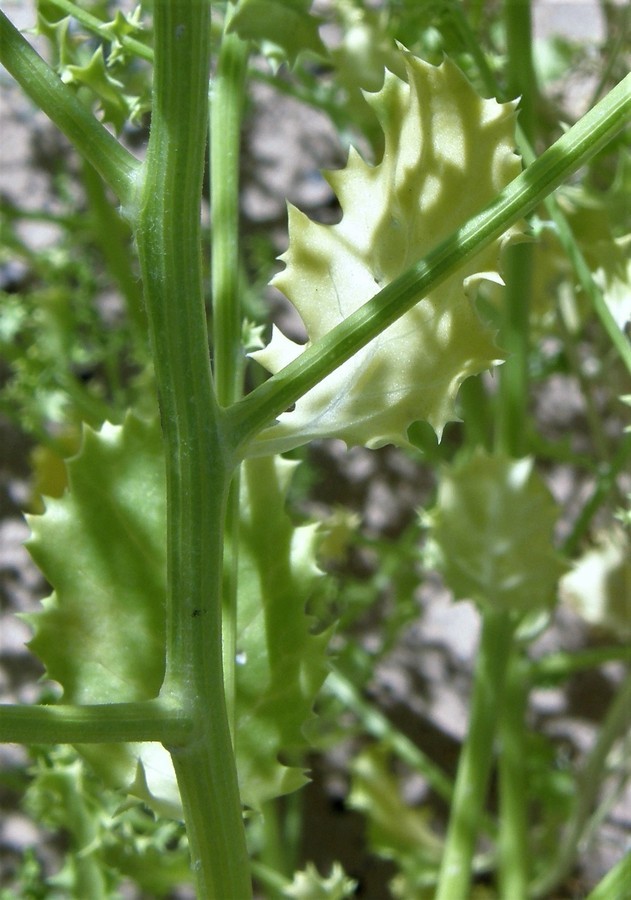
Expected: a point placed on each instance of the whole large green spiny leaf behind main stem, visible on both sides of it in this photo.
(101, 634)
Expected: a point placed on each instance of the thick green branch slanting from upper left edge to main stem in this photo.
(116, 165)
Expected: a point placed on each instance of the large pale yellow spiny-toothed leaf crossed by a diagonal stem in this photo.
(447, 153)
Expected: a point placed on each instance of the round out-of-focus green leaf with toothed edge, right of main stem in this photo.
(492, 530)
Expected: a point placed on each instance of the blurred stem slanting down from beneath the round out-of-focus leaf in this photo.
(476, 757)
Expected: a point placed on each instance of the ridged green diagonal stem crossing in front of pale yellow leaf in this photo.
(517, 200)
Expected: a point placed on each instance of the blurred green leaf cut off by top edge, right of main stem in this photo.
(282, 28)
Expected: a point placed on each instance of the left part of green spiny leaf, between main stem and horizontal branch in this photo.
(102, 632)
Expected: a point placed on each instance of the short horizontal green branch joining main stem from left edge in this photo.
(148, 720)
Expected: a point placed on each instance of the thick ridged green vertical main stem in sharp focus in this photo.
(197, 466)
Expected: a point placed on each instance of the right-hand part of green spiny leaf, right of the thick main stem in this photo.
(282, 664)
